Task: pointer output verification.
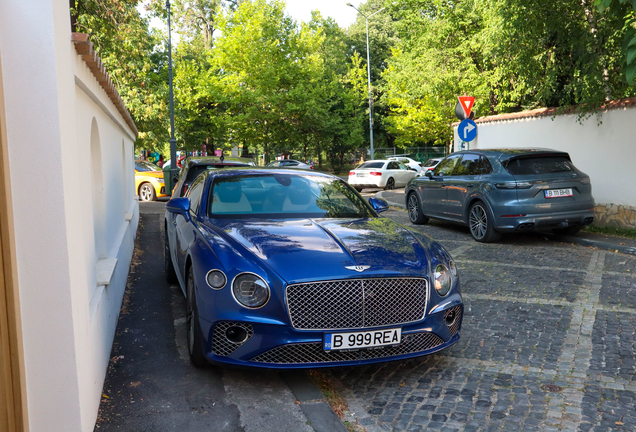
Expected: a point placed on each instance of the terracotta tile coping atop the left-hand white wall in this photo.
(85, 48)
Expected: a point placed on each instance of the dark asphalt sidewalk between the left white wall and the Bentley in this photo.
(151, 385)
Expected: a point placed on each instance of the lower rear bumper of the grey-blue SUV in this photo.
(545, 221)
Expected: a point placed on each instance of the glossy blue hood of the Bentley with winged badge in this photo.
(316, 249)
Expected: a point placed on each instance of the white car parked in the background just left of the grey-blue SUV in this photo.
(385, 174)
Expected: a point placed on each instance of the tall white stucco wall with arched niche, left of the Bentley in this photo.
(68, 322)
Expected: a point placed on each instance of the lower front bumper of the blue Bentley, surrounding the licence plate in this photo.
(280, 346)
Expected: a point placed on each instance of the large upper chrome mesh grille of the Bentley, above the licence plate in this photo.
(356, 303)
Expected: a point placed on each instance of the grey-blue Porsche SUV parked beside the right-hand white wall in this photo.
(508, 190)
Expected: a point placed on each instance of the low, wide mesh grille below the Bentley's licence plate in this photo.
(314, 352)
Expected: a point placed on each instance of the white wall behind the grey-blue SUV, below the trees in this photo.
(605, 151)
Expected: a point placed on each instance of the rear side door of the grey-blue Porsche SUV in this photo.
(460, 183)
